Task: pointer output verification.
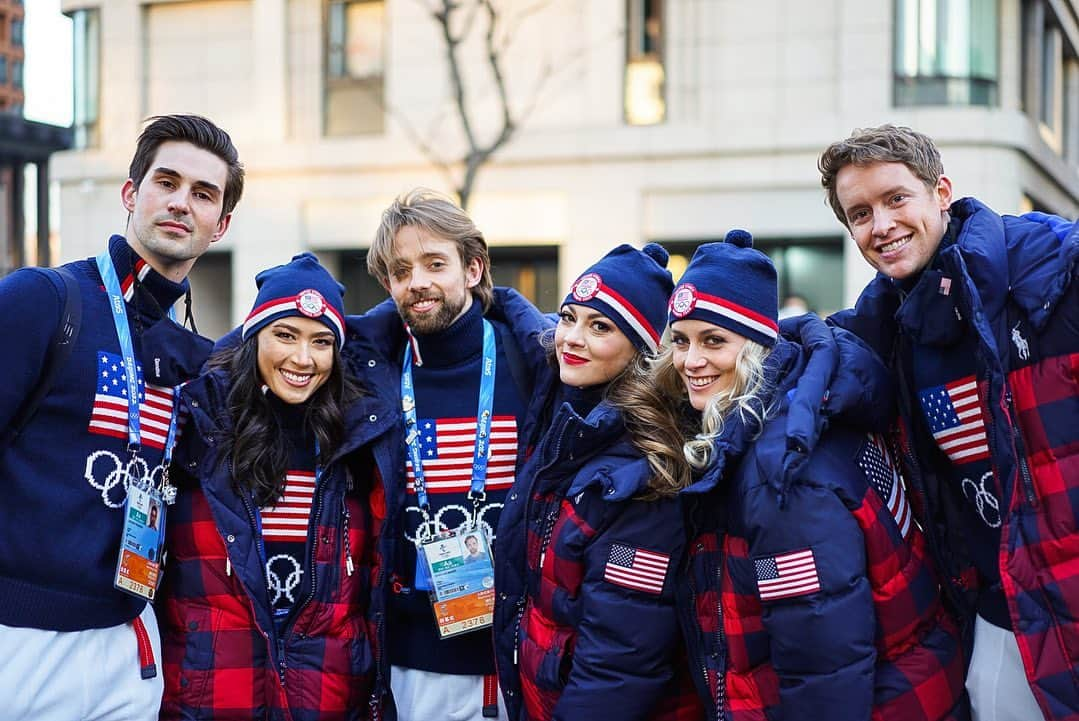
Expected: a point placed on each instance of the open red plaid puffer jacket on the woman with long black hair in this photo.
(223, 657)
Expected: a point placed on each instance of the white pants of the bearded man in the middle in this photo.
(425, 696)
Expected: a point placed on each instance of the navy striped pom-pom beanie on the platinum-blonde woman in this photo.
(733, 287)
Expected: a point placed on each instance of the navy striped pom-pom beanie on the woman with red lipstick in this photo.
(631, 288)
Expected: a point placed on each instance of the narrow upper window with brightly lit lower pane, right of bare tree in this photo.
(646, 84)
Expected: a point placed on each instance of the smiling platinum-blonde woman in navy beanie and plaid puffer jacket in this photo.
(808, 593)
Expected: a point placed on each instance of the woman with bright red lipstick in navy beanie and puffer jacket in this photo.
(591, 537)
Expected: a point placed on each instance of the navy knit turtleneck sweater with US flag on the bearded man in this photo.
(447, 389)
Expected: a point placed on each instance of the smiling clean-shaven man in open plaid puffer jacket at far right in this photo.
(978, 316)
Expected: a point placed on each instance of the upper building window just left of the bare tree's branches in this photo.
(356, 66)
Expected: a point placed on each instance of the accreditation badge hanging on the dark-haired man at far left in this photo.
(139, 568)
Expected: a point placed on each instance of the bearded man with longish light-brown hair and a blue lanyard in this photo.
(443, 330)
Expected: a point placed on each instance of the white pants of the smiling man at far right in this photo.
(996, 683)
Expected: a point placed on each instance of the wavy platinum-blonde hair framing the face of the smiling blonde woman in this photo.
(744, 397)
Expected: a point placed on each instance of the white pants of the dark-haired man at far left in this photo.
(78, 676)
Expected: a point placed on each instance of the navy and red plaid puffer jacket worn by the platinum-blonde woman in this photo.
(808, 594)
